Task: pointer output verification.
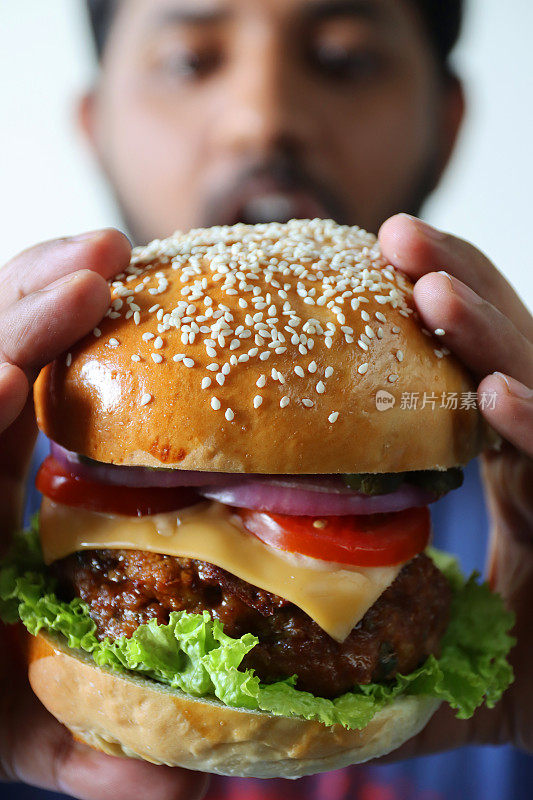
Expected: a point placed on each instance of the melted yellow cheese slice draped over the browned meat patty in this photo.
(334, 595)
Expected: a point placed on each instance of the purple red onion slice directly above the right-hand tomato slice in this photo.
(278, 499)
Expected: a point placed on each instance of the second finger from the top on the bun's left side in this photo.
(36, 329)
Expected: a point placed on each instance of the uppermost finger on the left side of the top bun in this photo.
(106, 252)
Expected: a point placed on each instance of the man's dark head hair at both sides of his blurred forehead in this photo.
(442, 19)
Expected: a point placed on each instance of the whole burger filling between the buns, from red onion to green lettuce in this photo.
(247, 589)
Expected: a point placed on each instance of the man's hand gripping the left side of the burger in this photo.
(50, 296)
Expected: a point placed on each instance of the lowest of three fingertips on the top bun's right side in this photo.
(511, 412)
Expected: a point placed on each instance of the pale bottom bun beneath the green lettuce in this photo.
(128, 715)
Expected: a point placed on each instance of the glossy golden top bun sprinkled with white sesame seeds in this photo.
(261, 348)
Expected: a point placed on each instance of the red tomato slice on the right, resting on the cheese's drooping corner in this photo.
(371, 540)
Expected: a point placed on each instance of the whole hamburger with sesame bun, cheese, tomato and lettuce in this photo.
(231, 570)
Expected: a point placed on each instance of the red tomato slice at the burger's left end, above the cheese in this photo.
(62, 486)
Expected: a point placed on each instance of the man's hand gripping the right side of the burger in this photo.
(490, 330)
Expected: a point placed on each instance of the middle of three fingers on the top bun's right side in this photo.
(480, 335)
